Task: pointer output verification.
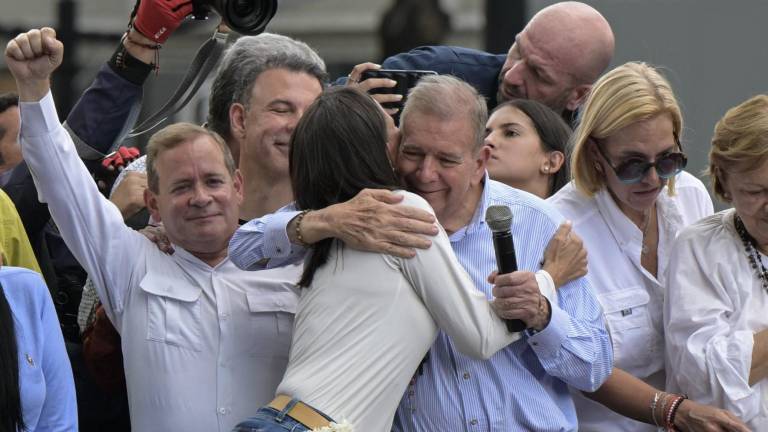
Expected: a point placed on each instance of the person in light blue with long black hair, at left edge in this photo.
(37, 392)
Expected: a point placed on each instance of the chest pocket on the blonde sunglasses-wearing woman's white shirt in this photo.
(636, 343)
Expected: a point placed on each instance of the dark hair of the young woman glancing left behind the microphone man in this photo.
(554, 133)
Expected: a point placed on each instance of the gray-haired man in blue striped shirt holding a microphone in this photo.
(441, 158)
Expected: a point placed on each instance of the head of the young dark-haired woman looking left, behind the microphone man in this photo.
(529, 147)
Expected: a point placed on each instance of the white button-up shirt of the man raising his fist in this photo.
(203, 346)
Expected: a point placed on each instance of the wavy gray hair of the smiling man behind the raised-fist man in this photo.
(245, 61)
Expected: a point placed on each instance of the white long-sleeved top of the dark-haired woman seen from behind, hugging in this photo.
(368, 319)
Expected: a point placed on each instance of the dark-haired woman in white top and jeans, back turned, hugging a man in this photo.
(365, 320)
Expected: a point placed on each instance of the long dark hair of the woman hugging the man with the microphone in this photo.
(337, 149)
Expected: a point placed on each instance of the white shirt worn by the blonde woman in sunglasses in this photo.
(631, 297)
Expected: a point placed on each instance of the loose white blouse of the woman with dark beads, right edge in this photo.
(715, 304)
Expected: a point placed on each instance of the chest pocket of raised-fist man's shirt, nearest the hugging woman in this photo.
(271, 318)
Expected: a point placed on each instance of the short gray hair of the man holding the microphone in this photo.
(447, 98)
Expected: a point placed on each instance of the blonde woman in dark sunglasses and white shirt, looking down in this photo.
(628, 200)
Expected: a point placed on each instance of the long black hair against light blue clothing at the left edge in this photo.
(11, 419)
